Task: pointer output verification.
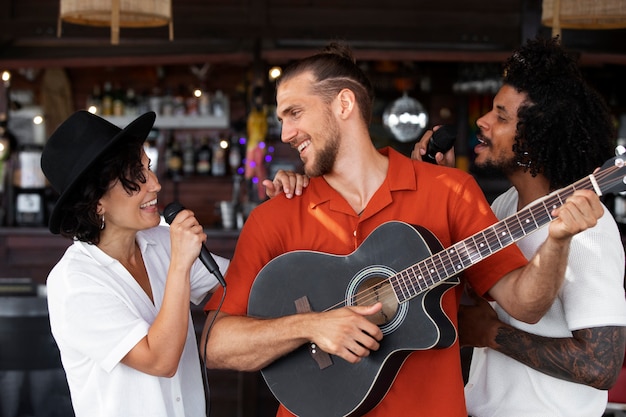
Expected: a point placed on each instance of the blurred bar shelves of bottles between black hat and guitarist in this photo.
(187, 140)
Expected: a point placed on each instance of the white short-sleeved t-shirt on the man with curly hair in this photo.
(592, 295)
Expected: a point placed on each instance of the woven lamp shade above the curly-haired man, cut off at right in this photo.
(583, 14)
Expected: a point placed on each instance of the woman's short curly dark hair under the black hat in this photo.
(122, 162)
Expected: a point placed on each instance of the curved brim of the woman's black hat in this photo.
(137, 130)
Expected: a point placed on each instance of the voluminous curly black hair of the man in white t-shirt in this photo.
(565, 130)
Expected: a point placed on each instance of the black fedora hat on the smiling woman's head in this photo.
(76, 144)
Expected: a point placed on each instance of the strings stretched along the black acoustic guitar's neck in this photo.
(538, 210)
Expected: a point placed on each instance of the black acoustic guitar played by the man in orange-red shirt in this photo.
(405, 268)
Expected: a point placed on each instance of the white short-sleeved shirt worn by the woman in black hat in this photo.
(98, 313)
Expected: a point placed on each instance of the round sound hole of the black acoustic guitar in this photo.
(374, 290)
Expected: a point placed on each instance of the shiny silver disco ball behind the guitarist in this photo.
(405, 118)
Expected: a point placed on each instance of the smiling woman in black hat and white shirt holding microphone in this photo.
(119, 297)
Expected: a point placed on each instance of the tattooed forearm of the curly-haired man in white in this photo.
(592, 356)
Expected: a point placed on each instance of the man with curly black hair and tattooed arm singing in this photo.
(547, 129)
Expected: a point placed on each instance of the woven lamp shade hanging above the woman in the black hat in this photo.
(117, 14)
